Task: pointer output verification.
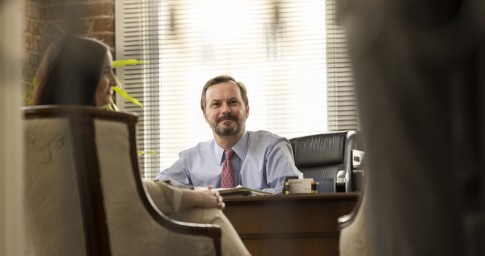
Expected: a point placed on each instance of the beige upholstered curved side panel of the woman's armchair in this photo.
(132, 231)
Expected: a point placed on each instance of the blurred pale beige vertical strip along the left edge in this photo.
(11, 236)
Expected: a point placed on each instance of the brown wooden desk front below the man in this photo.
(289, 224)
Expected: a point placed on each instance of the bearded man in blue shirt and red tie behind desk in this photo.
(259, 160)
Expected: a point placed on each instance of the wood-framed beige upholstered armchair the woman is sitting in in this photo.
(84, 194)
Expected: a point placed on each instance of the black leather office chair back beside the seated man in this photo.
(323, 155)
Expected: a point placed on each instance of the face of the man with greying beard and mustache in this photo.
(225, 110)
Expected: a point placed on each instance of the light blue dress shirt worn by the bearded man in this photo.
(261, 161)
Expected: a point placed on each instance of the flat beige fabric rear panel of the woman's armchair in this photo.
(52, 207)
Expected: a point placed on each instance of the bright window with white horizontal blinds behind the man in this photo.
(281, 51)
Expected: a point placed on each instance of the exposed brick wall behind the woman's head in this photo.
(46, 19)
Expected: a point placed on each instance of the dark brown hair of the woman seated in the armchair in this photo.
(70, 71)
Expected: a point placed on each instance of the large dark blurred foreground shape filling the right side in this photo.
(419, 72)
